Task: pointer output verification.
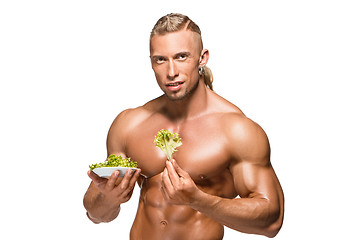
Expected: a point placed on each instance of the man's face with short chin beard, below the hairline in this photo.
(175, 59)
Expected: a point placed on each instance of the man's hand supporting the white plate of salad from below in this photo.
(116, 190)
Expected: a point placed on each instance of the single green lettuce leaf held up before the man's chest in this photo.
(167, 142)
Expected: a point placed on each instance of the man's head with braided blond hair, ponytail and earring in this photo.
(177, 56)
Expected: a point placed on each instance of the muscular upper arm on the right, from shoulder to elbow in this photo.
(253, 174)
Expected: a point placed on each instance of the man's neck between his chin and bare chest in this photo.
(192, 106)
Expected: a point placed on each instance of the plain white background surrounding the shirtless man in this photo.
(67, 68)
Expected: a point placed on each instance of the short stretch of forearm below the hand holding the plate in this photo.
(98, 209)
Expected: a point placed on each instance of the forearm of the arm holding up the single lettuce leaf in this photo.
(248, 215)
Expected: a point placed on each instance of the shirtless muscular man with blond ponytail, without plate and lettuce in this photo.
(224, 154)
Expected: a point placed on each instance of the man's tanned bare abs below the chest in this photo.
(156, 219)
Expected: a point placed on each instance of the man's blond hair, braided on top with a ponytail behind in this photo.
(174, 22)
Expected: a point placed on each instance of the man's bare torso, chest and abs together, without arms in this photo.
(203, 155)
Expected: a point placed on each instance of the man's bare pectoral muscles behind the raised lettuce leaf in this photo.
(203, 153)
